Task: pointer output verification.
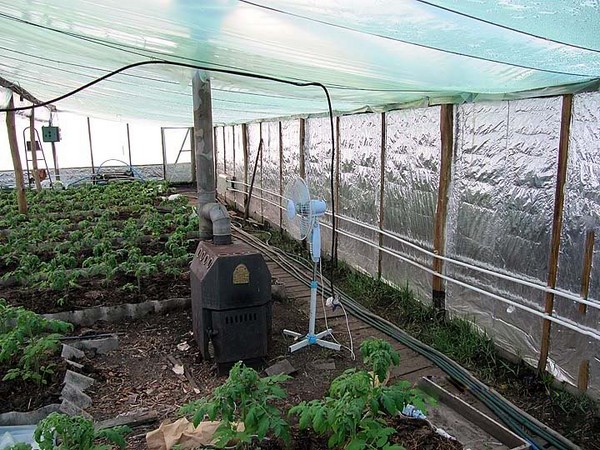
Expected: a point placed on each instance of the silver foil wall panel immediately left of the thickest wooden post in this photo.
(411, 178)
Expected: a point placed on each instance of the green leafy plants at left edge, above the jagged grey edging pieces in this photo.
(27, 341)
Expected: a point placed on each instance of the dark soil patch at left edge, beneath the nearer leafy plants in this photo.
(24, 396)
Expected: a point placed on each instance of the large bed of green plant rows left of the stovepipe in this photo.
(111, 240)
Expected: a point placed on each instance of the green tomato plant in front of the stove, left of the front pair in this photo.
(245, 398)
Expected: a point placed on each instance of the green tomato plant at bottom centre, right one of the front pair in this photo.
(354, 412)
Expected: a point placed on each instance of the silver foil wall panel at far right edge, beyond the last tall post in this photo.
(581, 215)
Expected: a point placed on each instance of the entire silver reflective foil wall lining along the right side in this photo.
(500, 207)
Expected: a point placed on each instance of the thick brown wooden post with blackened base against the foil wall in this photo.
(441, 212)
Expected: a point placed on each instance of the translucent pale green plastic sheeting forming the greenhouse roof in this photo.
(372, 55)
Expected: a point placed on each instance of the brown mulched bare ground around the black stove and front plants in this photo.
(139, 374)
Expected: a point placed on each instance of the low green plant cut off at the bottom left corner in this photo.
(62, 432)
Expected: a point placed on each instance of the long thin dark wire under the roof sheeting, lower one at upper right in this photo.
(429, 47)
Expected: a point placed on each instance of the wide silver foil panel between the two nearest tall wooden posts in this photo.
(500, 214)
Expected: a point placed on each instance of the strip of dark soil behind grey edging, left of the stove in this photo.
(95, 292)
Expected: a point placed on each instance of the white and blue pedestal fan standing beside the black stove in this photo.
(303, 215)
